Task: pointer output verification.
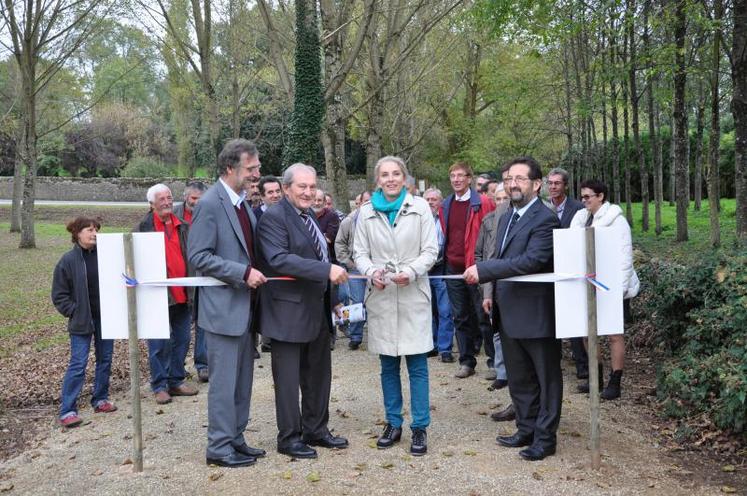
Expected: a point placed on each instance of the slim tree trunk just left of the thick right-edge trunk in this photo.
(714, 195)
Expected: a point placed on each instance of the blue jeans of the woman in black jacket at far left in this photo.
(75, 376)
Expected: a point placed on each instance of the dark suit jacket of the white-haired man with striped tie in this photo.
(291, 311)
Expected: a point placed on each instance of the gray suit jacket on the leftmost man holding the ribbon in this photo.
(217, 248)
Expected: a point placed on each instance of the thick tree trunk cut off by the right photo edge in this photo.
(739, 110)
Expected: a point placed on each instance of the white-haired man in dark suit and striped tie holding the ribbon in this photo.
(296, 314)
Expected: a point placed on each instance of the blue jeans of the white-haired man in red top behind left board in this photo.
(166, 356)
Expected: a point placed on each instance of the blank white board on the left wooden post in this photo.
(152, 301)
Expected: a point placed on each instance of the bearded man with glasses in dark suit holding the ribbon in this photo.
(527, 311)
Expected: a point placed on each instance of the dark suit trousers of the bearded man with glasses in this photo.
(535, 383)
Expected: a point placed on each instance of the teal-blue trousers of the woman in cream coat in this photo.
(391, 385)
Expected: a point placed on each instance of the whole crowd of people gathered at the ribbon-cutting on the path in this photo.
(390, 254)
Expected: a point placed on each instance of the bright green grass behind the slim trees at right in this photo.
(698, 244)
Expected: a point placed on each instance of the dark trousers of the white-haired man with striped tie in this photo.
(307, 366)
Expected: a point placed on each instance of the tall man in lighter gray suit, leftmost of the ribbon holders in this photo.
(221, 245)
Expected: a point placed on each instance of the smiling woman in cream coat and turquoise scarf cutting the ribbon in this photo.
(395, 245)
